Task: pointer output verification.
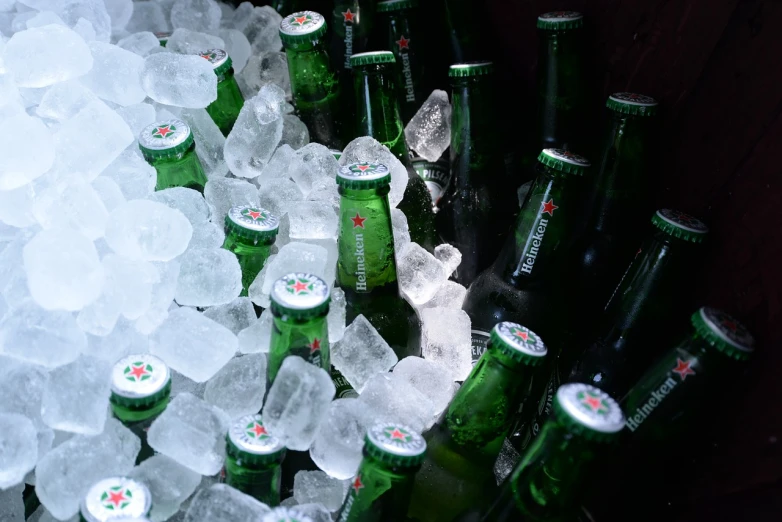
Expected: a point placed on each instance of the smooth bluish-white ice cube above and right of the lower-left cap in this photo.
(193, 345)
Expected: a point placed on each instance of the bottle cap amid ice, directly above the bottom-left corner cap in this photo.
(140, 380)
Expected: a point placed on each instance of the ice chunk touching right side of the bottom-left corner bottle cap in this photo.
(169, 483)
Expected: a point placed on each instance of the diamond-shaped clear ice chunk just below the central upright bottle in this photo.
(362, 353)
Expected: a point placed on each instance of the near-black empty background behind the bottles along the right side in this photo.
(716, 68)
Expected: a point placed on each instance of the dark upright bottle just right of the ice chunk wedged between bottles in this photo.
(480, 203)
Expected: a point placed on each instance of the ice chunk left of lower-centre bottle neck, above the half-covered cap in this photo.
(238, 388)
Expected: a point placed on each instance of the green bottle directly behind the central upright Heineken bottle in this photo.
(378, 115)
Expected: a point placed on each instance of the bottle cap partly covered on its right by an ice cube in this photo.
(248, 440)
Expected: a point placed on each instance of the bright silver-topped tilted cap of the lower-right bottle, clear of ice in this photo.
(588, 411)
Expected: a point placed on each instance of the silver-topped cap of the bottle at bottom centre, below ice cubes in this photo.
(395, 445)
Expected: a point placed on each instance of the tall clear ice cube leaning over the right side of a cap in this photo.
(297, 402)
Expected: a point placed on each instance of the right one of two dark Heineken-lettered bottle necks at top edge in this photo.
(398, 18)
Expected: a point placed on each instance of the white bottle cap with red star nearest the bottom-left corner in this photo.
(116, 498)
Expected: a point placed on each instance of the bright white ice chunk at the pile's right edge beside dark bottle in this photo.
(446, 339)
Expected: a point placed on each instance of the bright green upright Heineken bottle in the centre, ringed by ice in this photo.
(366, 266)
